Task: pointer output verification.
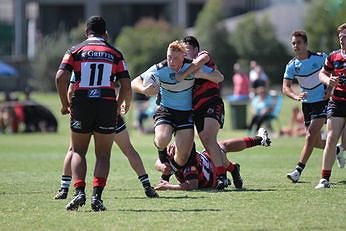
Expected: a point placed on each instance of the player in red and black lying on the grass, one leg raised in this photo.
(199, 171)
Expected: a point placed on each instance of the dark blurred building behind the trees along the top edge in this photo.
(30, 18)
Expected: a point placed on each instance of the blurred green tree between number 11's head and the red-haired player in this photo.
(146, 43)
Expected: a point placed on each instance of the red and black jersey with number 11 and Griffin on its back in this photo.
(96, 65)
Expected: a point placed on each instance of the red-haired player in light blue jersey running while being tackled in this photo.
(174, 114)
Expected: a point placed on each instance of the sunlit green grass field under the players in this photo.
(31, 164)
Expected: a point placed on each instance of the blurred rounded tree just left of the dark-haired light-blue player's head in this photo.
(255, 39)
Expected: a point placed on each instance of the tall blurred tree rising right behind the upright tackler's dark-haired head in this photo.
(214, 37)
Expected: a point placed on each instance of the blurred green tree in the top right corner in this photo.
(321, 22)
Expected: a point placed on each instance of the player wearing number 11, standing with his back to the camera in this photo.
(93, 106)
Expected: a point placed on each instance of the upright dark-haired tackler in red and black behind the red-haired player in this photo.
(208, 107)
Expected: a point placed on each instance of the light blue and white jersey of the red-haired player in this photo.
(175, 95)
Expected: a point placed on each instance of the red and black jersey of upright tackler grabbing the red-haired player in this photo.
(205, 91)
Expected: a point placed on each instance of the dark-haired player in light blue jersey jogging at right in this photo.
(314, 95)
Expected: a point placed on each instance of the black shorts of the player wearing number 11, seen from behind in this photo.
(93, 115)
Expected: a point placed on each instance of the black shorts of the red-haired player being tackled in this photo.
(177, 119)
